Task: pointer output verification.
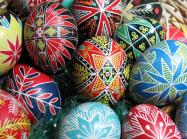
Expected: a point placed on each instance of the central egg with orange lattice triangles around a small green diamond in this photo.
(100, 70)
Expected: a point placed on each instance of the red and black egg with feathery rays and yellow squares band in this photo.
(50, 36)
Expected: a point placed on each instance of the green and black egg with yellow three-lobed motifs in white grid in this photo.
(137, 35)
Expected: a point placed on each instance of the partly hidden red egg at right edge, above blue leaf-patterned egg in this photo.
(174, 33)
